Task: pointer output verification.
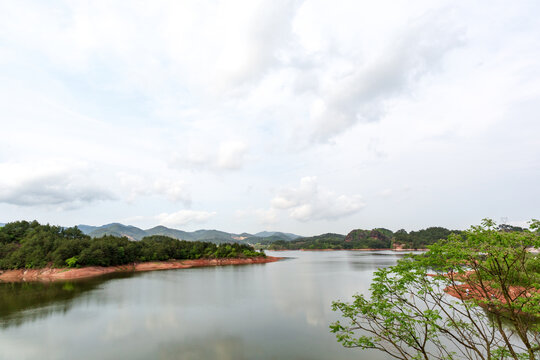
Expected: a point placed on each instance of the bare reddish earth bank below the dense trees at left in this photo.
(58, 274)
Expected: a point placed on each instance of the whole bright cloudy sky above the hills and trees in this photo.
(299, 116)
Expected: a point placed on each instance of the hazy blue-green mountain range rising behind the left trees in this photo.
(216, 236)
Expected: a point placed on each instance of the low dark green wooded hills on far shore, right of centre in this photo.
(379, 238)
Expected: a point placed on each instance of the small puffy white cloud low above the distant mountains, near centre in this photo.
(310, 202)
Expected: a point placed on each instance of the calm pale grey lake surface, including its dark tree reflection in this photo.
(279, 310)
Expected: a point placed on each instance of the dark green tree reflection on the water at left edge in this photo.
(21, 302)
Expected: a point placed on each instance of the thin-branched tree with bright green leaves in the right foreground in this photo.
(475, 295)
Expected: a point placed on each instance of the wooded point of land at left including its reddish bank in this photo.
(30, 251)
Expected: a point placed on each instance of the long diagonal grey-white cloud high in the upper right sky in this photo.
(352, 92)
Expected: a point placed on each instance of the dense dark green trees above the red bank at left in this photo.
(32, 245)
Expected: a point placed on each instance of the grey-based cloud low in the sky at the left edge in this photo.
(52, 184)
